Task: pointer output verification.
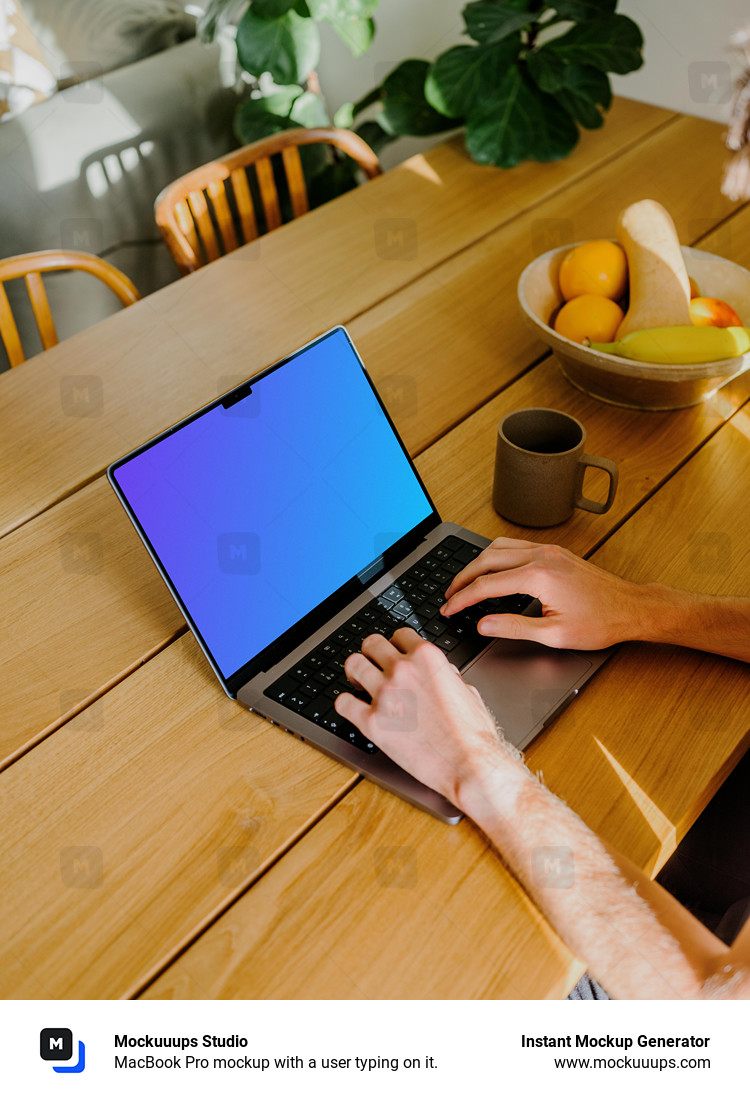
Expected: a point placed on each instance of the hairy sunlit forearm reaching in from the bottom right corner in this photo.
(633, 937)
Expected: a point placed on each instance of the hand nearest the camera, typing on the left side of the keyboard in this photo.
(423, 714)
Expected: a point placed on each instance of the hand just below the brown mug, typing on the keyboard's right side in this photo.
(584, 608)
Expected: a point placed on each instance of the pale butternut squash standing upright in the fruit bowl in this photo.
(660, 292)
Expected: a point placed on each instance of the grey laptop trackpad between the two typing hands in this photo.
(526, 685)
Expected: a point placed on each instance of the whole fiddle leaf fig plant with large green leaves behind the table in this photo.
(531, 76)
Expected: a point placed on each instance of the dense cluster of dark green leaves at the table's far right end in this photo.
(534, 75)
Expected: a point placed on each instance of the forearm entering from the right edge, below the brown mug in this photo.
(715, 624)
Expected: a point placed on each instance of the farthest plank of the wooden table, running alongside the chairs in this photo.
(70, 413)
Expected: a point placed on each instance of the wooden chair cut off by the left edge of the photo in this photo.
(30, 268)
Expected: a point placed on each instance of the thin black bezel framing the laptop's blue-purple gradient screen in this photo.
(316, 619)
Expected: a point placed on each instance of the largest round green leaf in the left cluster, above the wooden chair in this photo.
(288, 48)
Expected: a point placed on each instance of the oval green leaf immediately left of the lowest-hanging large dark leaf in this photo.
(464, 76)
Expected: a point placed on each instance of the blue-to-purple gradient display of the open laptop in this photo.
(260, 512)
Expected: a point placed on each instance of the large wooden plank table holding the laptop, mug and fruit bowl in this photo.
(160, 842)
